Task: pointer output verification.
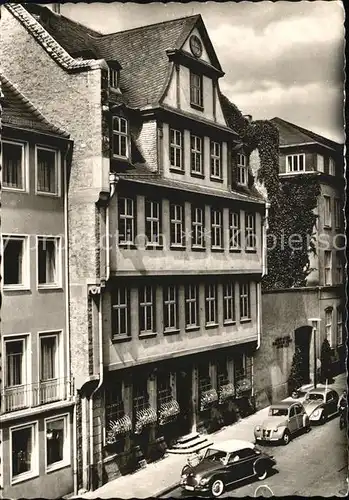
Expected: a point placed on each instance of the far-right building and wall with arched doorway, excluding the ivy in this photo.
(296, 316)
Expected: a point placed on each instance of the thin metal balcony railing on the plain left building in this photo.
(31, 395)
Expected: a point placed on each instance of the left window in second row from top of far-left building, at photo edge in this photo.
(15, 260)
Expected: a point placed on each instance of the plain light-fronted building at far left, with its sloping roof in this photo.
(36, 406)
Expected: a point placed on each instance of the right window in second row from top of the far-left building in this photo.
(48, 261)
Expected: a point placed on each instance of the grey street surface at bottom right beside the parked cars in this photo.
(312, 464)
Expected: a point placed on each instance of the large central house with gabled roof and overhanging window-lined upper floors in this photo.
(165, 231)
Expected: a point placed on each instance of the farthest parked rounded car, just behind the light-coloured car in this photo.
(320, 404)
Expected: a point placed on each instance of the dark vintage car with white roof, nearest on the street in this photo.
(224, 464)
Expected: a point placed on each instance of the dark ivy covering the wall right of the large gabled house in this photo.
(292, 203)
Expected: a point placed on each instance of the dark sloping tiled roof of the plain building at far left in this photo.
(18, 112)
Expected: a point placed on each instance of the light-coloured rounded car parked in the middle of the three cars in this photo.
(284, 420)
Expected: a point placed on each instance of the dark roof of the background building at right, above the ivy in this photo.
(292, 134)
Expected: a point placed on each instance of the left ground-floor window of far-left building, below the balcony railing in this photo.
(23, 451)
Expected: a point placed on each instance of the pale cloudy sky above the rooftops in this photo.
(280, 58)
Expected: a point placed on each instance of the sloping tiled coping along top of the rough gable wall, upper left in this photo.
(51, 46)
